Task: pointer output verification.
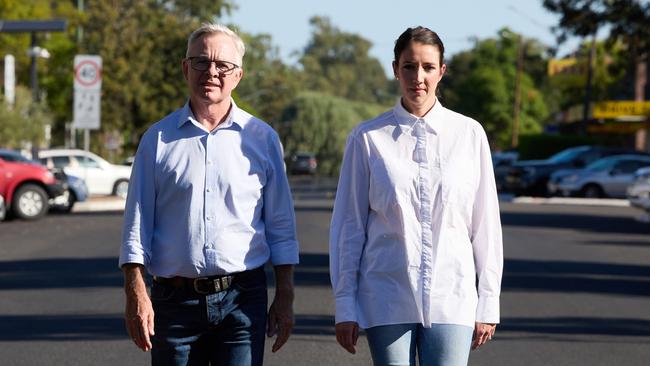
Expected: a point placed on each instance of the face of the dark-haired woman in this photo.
(419, 71)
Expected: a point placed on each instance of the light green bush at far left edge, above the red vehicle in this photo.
(23, 124)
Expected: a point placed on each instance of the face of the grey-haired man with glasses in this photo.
(212, 86)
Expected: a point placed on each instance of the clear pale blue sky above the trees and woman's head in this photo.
(382, 21)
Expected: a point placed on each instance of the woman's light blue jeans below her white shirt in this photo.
(440, 345)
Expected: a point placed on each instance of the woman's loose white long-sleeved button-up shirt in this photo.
(416, 233)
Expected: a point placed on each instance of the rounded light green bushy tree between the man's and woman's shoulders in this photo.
(320, 123)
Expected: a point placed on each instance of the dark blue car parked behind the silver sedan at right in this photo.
(530, 177)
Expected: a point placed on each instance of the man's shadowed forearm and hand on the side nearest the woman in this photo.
(281, 318)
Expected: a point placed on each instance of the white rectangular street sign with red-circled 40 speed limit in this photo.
(87, 91)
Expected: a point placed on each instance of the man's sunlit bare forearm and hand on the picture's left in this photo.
(138, 314)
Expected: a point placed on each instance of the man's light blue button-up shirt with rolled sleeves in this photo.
(205, 202)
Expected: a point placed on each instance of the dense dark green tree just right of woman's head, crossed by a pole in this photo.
(480, 83)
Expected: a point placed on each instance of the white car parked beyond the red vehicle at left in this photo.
(100, 176)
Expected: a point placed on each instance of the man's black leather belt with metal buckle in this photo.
(207, 285)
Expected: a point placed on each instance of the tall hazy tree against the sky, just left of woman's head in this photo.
(338, 63)
